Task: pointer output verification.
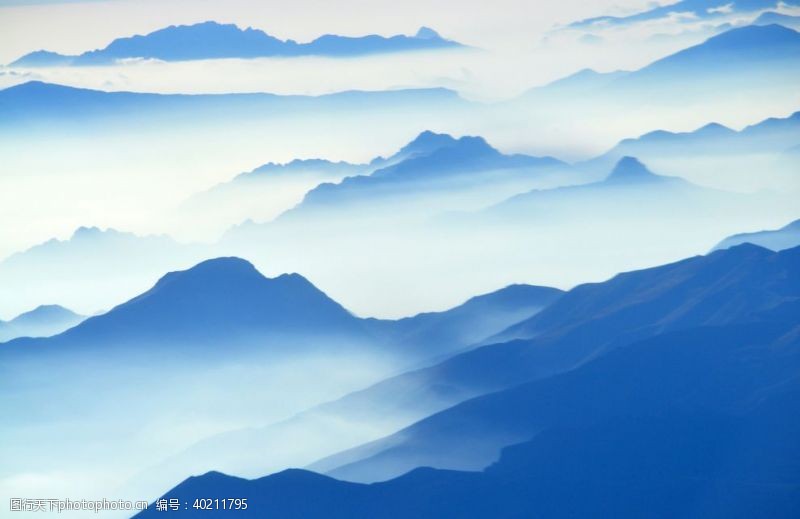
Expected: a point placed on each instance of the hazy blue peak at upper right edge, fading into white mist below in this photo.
(759, 60)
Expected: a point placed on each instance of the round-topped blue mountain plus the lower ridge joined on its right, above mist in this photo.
(228, 300)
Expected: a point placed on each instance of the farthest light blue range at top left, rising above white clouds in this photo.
(212, 40)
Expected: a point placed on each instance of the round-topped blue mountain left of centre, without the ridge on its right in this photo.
(224, 299)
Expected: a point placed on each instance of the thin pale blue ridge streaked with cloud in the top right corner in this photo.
(698, 9)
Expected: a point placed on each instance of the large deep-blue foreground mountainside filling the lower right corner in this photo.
(665, 392)
